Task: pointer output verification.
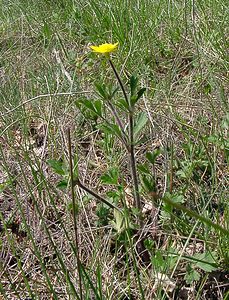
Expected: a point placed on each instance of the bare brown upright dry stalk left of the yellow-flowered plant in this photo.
(74, 213)
